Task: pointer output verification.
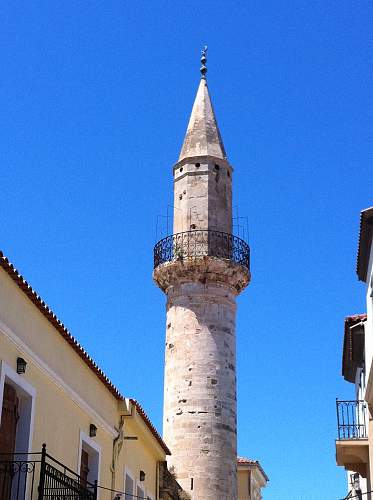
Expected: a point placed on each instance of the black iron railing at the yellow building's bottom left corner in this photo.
(30, 476)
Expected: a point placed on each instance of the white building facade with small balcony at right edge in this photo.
(354, 444)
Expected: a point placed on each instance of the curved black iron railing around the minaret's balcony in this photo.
(200, 243)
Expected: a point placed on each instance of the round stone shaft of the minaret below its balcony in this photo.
(200, 389)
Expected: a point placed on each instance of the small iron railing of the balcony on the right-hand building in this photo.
(351, 419)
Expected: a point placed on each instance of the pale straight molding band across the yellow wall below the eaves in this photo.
(56, 379)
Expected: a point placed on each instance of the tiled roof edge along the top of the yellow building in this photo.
(64, 332)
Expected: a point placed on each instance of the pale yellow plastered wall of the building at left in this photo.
(68, 395)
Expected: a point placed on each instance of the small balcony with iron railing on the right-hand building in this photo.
(352, 451)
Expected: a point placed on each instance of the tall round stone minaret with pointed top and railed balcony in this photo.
(201, 268)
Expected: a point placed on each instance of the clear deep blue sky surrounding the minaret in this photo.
(95, 102)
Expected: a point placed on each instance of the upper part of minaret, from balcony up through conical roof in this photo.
(202, 247)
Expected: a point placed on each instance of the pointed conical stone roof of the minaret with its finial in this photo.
(202, 137)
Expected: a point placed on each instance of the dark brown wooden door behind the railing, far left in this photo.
(8, 428)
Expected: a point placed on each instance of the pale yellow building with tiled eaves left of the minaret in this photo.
(51, 391)
